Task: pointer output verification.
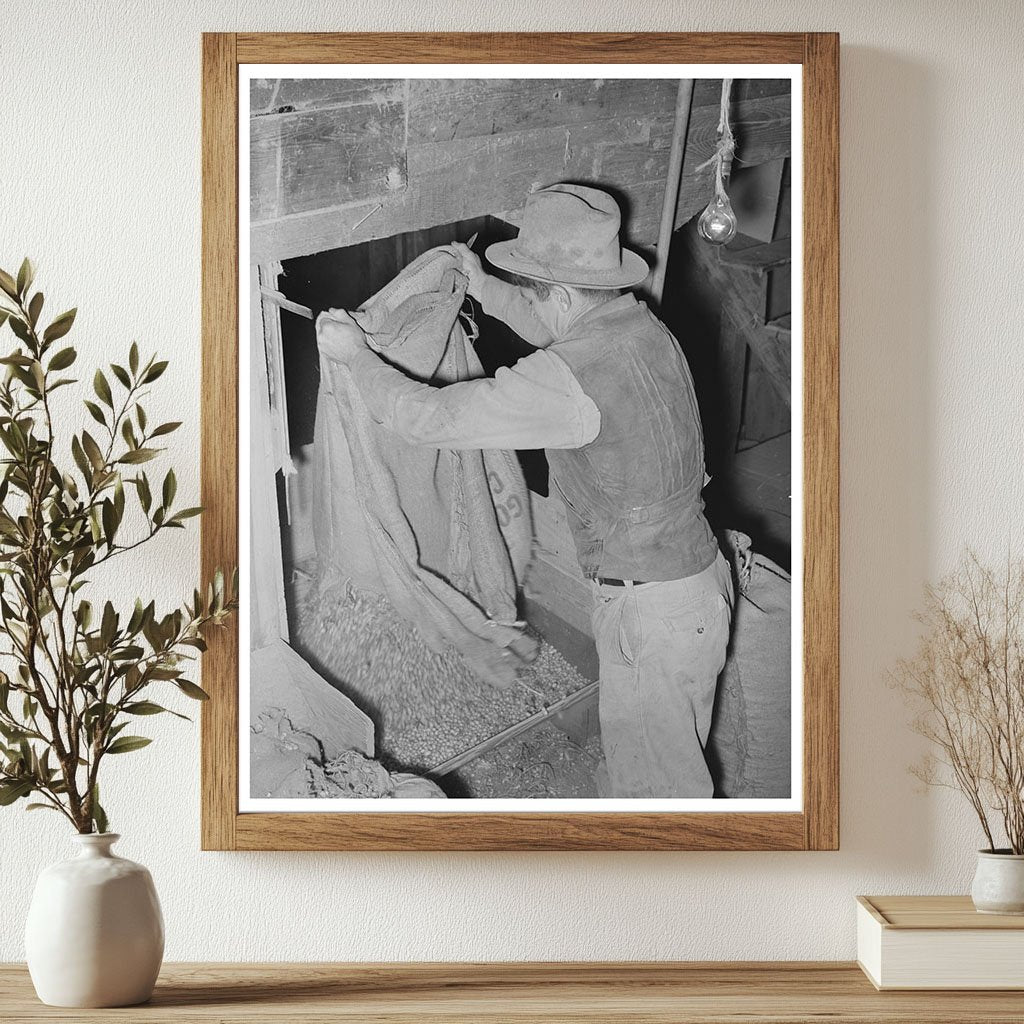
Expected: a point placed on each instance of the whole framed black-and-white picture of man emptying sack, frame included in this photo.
(521, 419)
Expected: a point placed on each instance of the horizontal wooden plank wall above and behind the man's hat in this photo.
(339, 162)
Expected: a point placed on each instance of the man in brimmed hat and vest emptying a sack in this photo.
(611, 399)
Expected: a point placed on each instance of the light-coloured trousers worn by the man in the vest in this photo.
(661, 649)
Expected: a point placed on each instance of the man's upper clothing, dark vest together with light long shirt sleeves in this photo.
(612, 402)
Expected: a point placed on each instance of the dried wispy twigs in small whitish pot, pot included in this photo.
(967, 680)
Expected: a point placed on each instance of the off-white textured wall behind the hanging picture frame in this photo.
(100, 183)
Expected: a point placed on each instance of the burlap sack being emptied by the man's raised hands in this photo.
(444, 535)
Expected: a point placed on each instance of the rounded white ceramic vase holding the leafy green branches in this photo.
(96, 935)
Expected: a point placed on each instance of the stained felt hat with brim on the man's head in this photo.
(569, 235)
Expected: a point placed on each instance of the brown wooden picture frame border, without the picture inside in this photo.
(816, 827)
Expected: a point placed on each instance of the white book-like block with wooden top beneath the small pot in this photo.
(938, 943)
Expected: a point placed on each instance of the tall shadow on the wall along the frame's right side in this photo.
(889, 270)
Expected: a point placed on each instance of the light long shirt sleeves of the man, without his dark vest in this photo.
(537, 404)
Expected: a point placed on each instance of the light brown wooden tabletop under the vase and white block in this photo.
(478, 994)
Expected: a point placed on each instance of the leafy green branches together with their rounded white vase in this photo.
(75, 673)
